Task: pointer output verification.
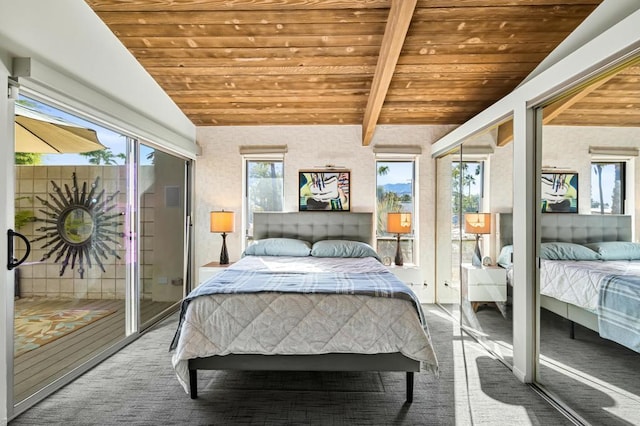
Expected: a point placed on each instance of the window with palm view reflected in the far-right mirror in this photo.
(607, 187)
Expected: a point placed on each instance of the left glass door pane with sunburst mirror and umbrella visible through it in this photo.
(70, 203)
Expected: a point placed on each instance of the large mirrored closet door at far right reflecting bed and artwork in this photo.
(594, 170)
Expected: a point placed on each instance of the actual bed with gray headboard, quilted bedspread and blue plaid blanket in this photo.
(275, 326)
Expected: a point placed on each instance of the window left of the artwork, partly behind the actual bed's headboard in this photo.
(264, 188)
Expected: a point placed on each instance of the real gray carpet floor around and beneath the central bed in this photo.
(137, 386)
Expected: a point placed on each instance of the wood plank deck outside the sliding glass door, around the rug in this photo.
(39, 367)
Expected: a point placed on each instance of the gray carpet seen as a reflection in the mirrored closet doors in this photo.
(597, 378)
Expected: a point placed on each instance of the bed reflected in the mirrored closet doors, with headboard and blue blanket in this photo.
(589, 272)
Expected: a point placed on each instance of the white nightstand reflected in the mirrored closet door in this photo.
(484, 284)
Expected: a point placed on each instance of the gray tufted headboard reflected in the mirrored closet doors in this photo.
(573, 228)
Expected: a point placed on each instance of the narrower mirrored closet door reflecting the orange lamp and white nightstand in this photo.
(485, 193)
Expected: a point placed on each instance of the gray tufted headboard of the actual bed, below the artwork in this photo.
(314, 226)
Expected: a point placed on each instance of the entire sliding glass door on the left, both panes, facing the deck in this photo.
(101, 231)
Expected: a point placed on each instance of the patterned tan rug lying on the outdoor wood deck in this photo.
(34, 328)
